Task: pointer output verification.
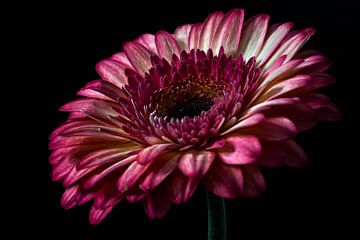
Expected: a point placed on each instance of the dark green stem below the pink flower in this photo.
(216, 217)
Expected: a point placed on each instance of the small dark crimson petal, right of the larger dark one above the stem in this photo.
(254, 182)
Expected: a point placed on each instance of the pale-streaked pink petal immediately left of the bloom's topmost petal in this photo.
(208, 31)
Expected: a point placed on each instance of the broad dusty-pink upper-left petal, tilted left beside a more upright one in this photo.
(139, 56)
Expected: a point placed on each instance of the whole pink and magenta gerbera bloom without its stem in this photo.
(208, 104)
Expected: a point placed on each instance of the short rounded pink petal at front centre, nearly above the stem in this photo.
(196, 164)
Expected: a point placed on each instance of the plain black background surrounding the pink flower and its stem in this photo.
(67, 41)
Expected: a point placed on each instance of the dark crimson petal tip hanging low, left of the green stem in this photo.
(157, 204)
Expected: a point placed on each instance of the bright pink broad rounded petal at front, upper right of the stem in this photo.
(241, 149)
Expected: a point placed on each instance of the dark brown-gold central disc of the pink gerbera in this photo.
(186, 98)
